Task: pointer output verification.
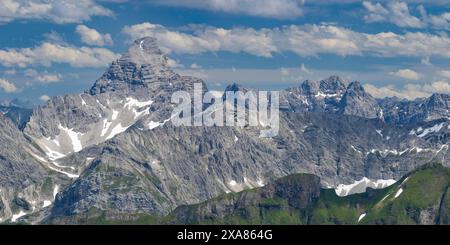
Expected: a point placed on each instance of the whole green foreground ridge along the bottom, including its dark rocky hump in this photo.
(422, 197)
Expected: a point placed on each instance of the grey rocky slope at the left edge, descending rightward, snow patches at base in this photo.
(26, 184)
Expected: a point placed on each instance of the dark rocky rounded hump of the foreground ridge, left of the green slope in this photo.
(298, 191)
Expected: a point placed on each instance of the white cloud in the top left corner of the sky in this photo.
(57, 11)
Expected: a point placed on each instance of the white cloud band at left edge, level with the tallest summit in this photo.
(49, 53)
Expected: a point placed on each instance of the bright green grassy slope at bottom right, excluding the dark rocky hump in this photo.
(422, 200)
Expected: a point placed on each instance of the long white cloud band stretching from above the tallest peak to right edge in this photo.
(303, 40)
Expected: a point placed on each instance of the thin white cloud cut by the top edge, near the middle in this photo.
(278, 9)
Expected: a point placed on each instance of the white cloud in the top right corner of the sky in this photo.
(398, 13)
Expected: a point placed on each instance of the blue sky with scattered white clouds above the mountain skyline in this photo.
(396, 48)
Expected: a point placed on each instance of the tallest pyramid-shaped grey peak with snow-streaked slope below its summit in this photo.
(135, 90)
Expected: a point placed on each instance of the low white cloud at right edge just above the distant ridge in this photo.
(409, 91)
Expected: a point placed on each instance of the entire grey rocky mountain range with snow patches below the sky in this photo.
(113, 150)
